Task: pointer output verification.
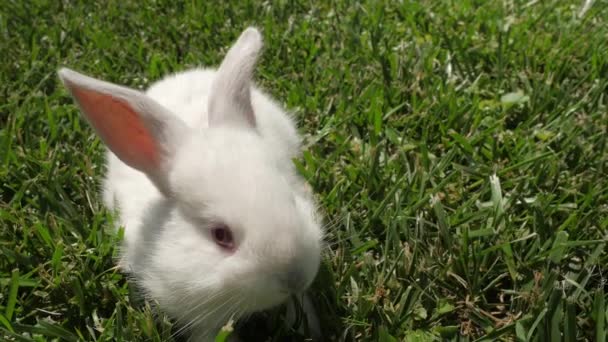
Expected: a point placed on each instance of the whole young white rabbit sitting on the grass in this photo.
(217, 222)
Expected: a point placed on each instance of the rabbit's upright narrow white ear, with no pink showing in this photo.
(230, 98)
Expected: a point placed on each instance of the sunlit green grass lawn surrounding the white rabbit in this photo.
(458, 149)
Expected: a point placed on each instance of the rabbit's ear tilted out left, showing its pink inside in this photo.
(141, 132)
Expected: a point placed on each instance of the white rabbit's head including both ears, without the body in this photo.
(241, 234)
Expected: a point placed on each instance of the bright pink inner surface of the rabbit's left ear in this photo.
(121, 128)
